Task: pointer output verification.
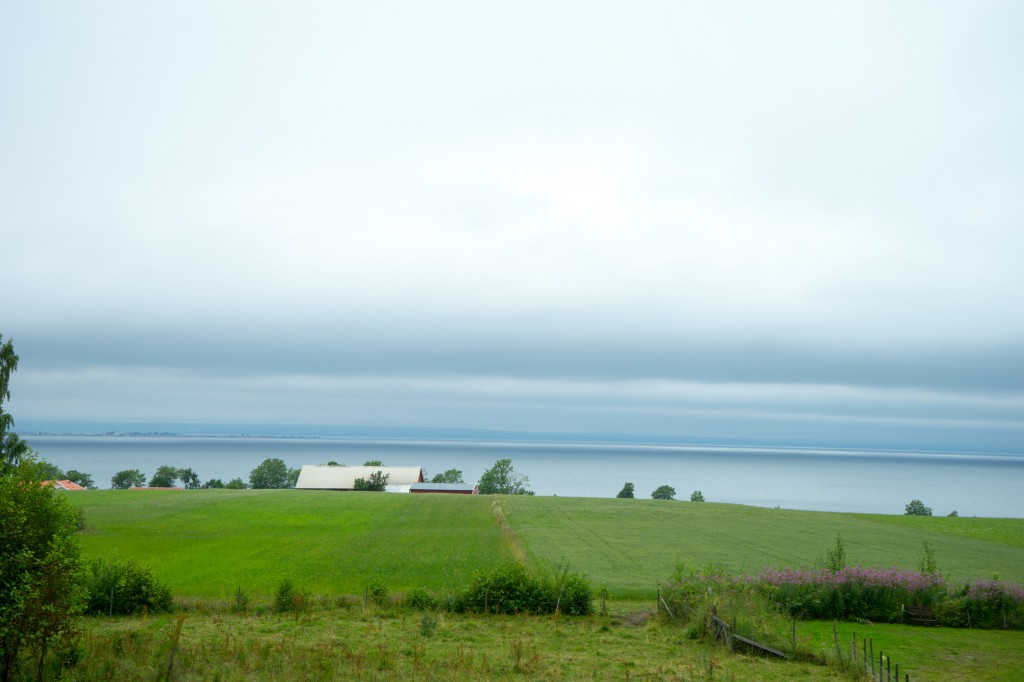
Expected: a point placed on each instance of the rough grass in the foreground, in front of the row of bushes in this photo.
(345, 641)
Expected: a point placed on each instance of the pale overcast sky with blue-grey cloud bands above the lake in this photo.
(762, 220)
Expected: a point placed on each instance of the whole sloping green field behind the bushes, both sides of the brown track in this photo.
(208, 543)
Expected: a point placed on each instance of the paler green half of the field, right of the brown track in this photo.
(631, 545)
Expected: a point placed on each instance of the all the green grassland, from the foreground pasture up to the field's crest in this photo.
(206, 544)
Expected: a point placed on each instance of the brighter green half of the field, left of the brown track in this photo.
(207, 543)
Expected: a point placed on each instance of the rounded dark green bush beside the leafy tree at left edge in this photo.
(124, 588)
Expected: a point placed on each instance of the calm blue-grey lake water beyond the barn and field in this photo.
(871, 482)
